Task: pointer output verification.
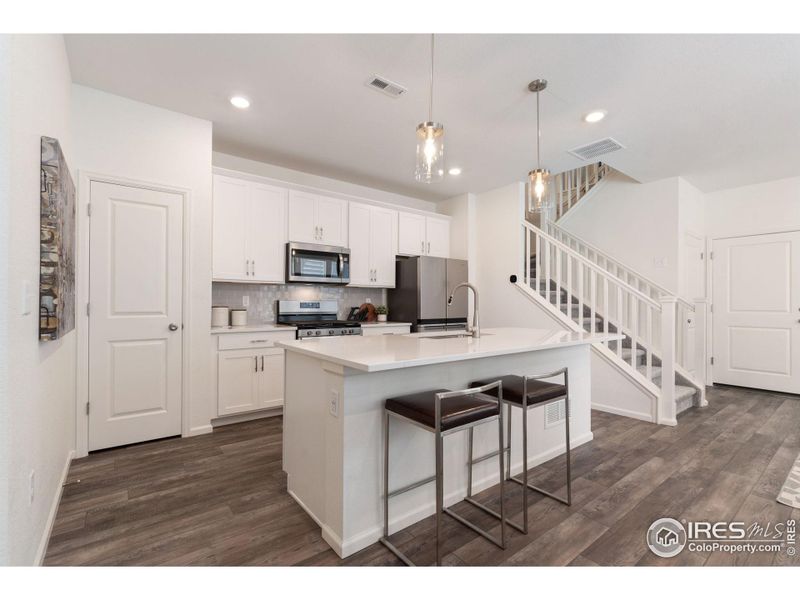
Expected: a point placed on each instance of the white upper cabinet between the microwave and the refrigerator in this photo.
(373, 245)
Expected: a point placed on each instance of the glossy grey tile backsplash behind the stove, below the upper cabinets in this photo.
(261, 308)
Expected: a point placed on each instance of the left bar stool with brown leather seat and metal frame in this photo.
(444, 412)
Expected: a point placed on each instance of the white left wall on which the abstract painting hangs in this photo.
(40, 432)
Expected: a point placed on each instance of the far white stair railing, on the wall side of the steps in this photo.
(685, 310)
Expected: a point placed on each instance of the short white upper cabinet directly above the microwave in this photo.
(317, 219)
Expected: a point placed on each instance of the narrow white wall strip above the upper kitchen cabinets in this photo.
(236, 163)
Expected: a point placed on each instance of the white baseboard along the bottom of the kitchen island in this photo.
(363, 539)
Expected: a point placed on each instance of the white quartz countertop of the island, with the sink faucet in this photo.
(386, 352)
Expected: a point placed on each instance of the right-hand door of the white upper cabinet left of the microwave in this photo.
(267, 233)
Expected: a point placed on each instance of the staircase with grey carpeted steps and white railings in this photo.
(587, 290)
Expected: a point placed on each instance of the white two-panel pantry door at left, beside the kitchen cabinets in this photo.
(135, 329)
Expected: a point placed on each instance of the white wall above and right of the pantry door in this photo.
(123, 138)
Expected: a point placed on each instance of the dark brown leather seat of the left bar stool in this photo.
(457, 411)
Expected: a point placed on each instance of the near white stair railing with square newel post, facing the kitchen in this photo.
(582, 290)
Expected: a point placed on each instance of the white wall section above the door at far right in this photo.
(761, 208)
